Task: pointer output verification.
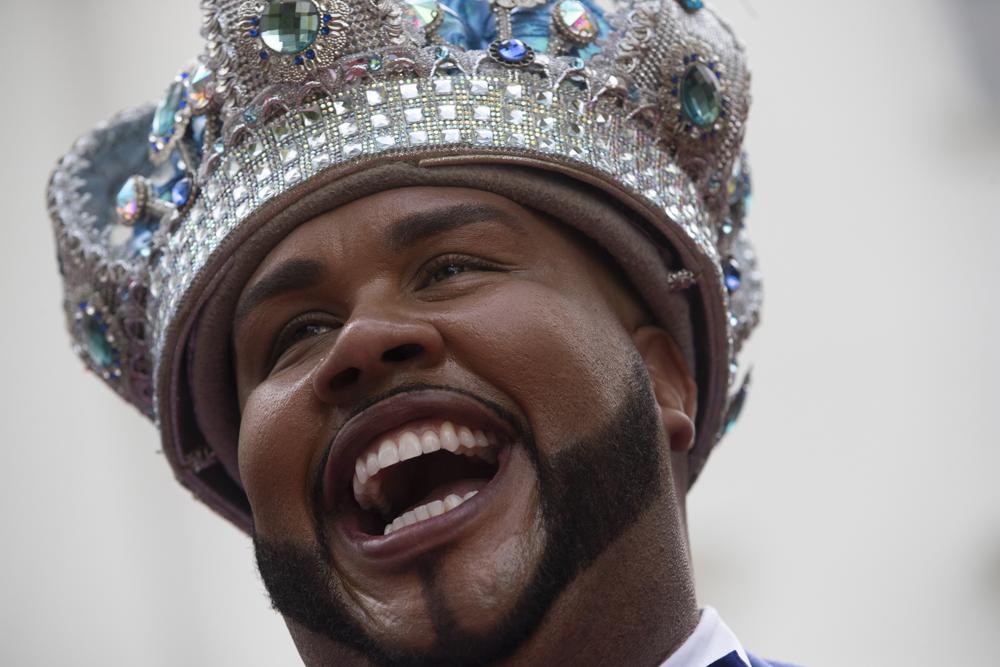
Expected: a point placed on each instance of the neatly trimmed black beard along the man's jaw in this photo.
(590, 493)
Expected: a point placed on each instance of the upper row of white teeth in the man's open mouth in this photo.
(410, 444)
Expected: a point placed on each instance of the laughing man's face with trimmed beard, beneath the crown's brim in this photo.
(449, 440)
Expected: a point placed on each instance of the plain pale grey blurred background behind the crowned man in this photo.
(852, 518)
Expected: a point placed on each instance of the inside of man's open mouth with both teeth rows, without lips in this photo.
(422, 472)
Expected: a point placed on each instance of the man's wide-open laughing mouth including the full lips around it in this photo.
(404, 471)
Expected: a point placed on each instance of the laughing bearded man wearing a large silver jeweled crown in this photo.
(443, 305)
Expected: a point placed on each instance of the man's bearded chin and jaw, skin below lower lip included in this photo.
(478, 601)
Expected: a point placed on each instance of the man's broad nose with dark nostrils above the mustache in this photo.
(370, 349)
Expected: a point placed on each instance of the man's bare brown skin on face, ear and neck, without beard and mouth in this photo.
(516, 311)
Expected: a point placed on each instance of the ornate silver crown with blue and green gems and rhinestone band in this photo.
(648, 99)
